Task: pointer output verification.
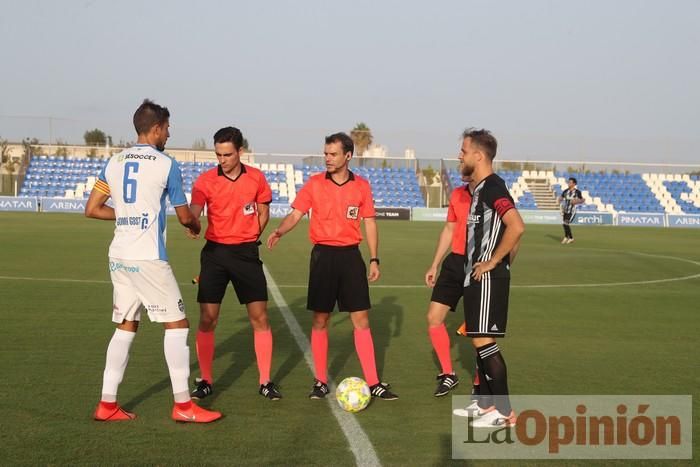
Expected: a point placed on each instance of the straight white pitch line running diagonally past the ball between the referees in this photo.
(359, 442)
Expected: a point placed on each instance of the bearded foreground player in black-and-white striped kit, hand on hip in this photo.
(494, 228)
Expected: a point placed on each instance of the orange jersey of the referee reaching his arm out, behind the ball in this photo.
(336, 209)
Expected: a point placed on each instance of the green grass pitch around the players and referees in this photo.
(55, 302)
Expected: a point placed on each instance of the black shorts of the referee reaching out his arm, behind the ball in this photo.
(337, 274)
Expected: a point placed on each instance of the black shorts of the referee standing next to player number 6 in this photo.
(239, 264)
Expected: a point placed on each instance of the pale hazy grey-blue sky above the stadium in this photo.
(571, 80)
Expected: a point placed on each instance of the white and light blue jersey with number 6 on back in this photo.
(138, 179)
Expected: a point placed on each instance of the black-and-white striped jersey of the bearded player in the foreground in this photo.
(490, 201)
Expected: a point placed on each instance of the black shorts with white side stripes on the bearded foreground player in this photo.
(486, 306)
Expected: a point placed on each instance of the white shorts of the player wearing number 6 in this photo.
(150, 283)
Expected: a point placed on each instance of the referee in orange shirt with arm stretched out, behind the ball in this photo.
(339, 200)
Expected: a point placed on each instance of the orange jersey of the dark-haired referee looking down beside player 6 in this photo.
(232, 211)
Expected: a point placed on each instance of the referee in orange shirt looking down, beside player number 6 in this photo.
(237, 197)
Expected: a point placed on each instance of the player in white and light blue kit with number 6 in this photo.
(138, 180)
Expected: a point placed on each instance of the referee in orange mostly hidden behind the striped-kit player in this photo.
(448, 287)
